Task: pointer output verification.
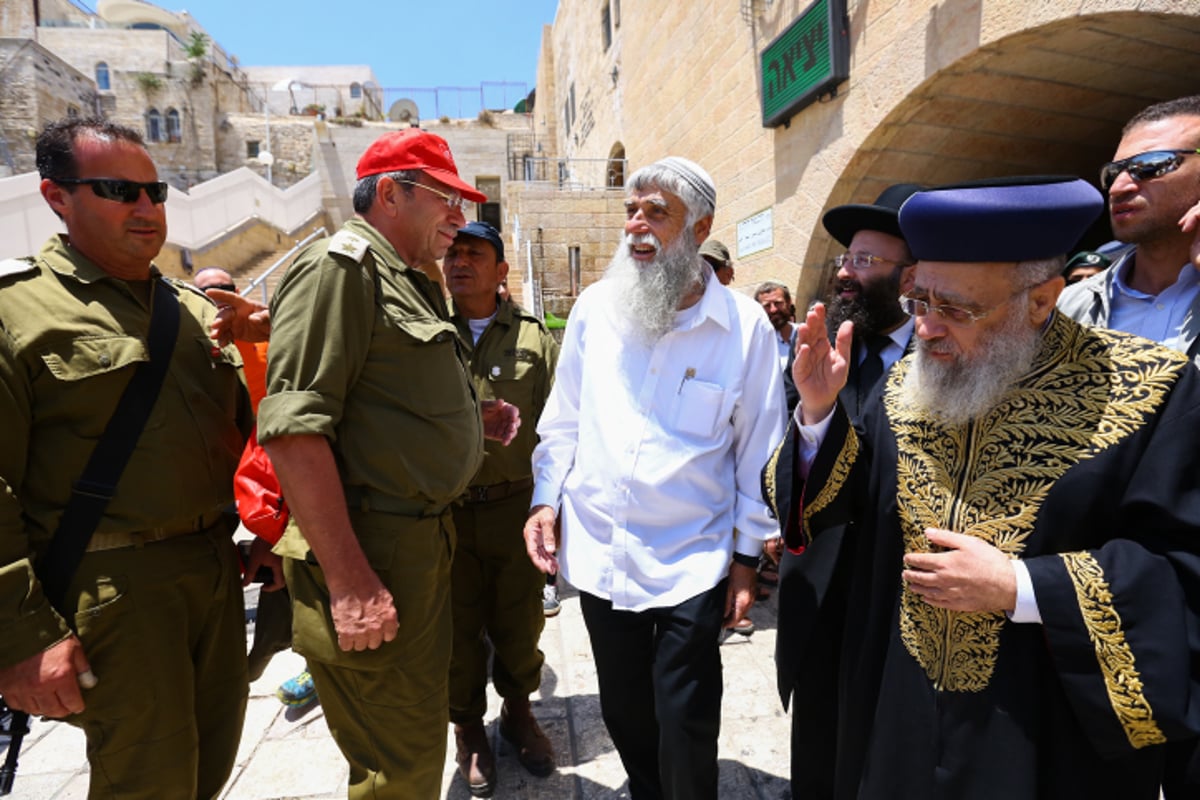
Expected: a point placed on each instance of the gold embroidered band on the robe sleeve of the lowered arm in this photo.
(1113, 653)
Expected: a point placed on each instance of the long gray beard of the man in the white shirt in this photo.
(647, 297)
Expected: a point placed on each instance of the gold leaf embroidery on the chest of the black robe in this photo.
(1085, 393)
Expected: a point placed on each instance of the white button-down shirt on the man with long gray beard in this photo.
(655, 454)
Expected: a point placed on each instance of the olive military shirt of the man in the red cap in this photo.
(364, 354)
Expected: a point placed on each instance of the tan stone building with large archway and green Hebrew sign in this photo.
(938, 92)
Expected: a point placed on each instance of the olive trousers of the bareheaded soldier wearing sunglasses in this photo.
(165, 631)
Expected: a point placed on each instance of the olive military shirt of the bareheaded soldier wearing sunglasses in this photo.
(71, 338)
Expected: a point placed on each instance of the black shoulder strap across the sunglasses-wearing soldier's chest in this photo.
(97, 488)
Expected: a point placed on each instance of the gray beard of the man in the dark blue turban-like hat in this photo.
(961, 392)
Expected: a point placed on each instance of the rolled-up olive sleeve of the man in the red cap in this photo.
(322, 321)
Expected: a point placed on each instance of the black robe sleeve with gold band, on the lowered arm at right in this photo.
(1123, 619)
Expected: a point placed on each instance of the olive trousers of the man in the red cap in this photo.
(387, 707)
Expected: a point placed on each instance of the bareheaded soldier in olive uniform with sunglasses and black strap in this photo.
(155, 609)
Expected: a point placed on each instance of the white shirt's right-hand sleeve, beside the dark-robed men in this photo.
(758, 426)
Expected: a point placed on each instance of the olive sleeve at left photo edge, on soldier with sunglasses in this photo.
(28, 623)
